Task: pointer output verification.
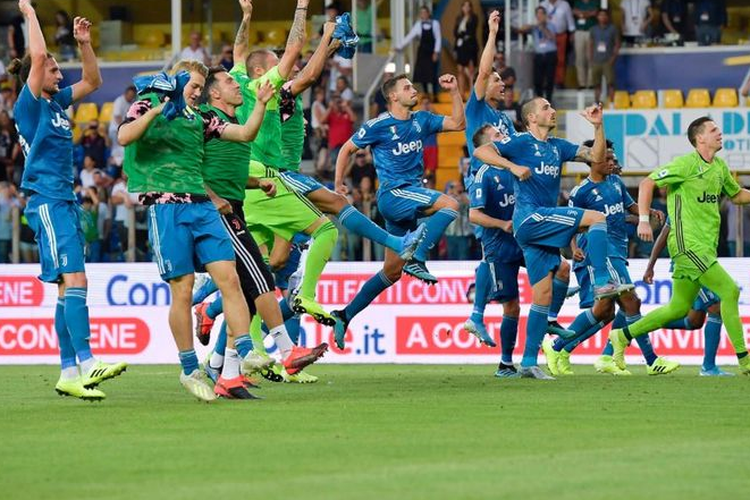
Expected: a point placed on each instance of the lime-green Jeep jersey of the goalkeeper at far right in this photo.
(693, 196)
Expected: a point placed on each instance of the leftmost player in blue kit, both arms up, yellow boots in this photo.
(46, 136)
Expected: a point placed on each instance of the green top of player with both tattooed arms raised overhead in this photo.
(267, 144)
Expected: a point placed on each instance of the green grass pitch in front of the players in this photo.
(376, 432)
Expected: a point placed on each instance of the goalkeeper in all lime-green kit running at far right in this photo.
(695, 184)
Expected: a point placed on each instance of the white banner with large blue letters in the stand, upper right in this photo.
(647, 139)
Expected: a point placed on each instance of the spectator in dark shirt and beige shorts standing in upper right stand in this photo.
(605, 45)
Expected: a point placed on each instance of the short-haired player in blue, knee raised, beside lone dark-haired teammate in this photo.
(540, 226)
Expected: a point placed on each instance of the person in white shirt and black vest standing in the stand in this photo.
(428, 50)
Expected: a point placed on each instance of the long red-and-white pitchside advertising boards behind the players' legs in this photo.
(408, 323)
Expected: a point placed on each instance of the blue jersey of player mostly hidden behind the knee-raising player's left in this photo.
(493, 191)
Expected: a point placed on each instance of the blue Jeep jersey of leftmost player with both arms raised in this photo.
(46, 137)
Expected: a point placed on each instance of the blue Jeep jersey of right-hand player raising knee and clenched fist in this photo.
(545, 159)
